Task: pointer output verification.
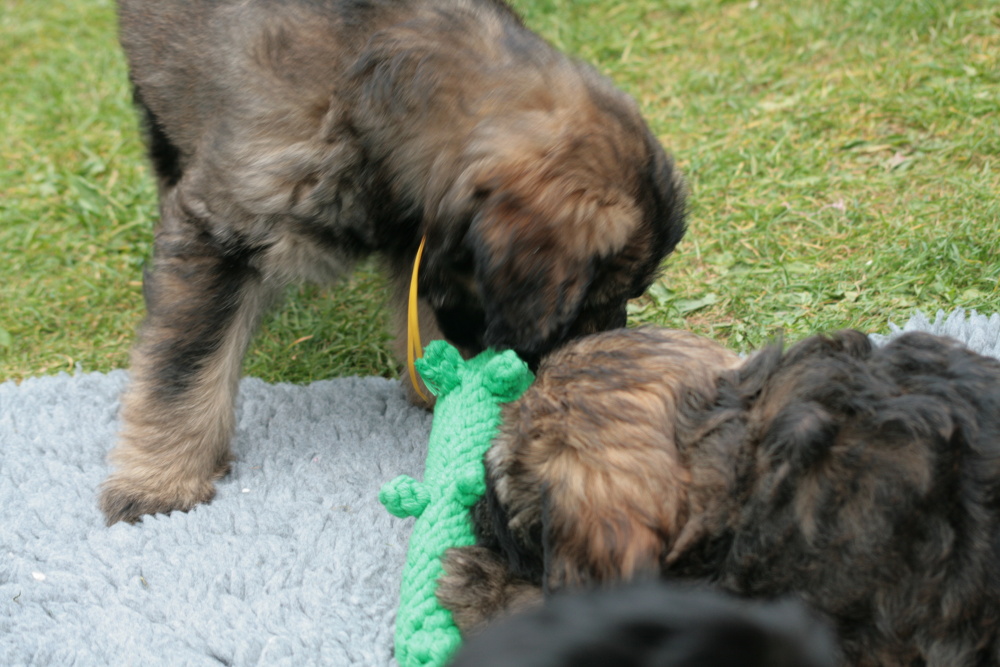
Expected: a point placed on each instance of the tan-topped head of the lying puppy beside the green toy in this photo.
(586, 463)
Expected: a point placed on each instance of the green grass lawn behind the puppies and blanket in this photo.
(843, 158)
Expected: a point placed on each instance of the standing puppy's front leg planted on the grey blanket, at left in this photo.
(203, 305)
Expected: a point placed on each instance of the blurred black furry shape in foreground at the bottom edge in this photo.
(653, 625)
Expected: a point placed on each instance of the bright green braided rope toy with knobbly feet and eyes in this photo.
(466, 417)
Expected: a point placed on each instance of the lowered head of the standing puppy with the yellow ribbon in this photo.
(557, 213)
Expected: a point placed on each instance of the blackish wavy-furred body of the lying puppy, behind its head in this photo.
(876, 494)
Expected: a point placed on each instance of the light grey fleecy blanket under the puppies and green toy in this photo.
(294, 563)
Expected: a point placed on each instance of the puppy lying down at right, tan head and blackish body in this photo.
(864, 481)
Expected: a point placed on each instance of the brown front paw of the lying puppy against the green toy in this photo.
(477, 589)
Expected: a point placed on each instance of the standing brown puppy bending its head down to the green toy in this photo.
(292, 137)
